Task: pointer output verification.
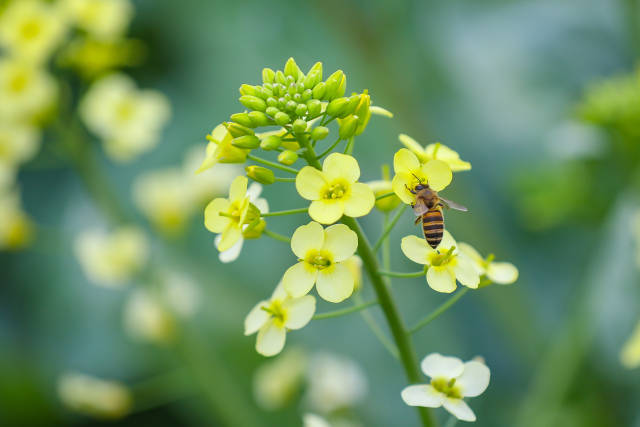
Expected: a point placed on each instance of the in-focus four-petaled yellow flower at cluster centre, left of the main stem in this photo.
(321, 253)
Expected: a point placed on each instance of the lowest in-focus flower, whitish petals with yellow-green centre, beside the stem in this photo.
(451, 381)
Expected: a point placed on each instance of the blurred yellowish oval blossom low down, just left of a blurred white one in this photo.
(277, 381)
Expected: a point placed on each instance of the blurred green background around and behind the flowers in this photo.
(494, 80)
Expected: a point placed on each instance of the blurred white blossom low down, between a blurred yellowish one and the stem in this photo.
(335, 383)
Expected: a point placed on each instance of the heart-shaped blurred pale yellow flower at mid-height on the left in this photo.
(112, 259)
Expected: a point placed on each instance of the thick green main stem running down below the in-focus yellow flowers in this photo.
(403, 341)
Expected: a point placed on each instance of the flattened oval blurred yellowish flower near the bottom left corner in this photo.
(93, 396)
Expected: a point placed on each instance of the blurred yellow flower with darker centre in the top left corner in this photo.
(31, 29)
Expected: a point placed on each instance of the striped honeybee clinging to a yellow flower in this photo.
(428, 208)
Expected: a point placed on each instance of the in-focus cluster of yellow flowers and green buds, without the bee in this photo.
(300, 106)
